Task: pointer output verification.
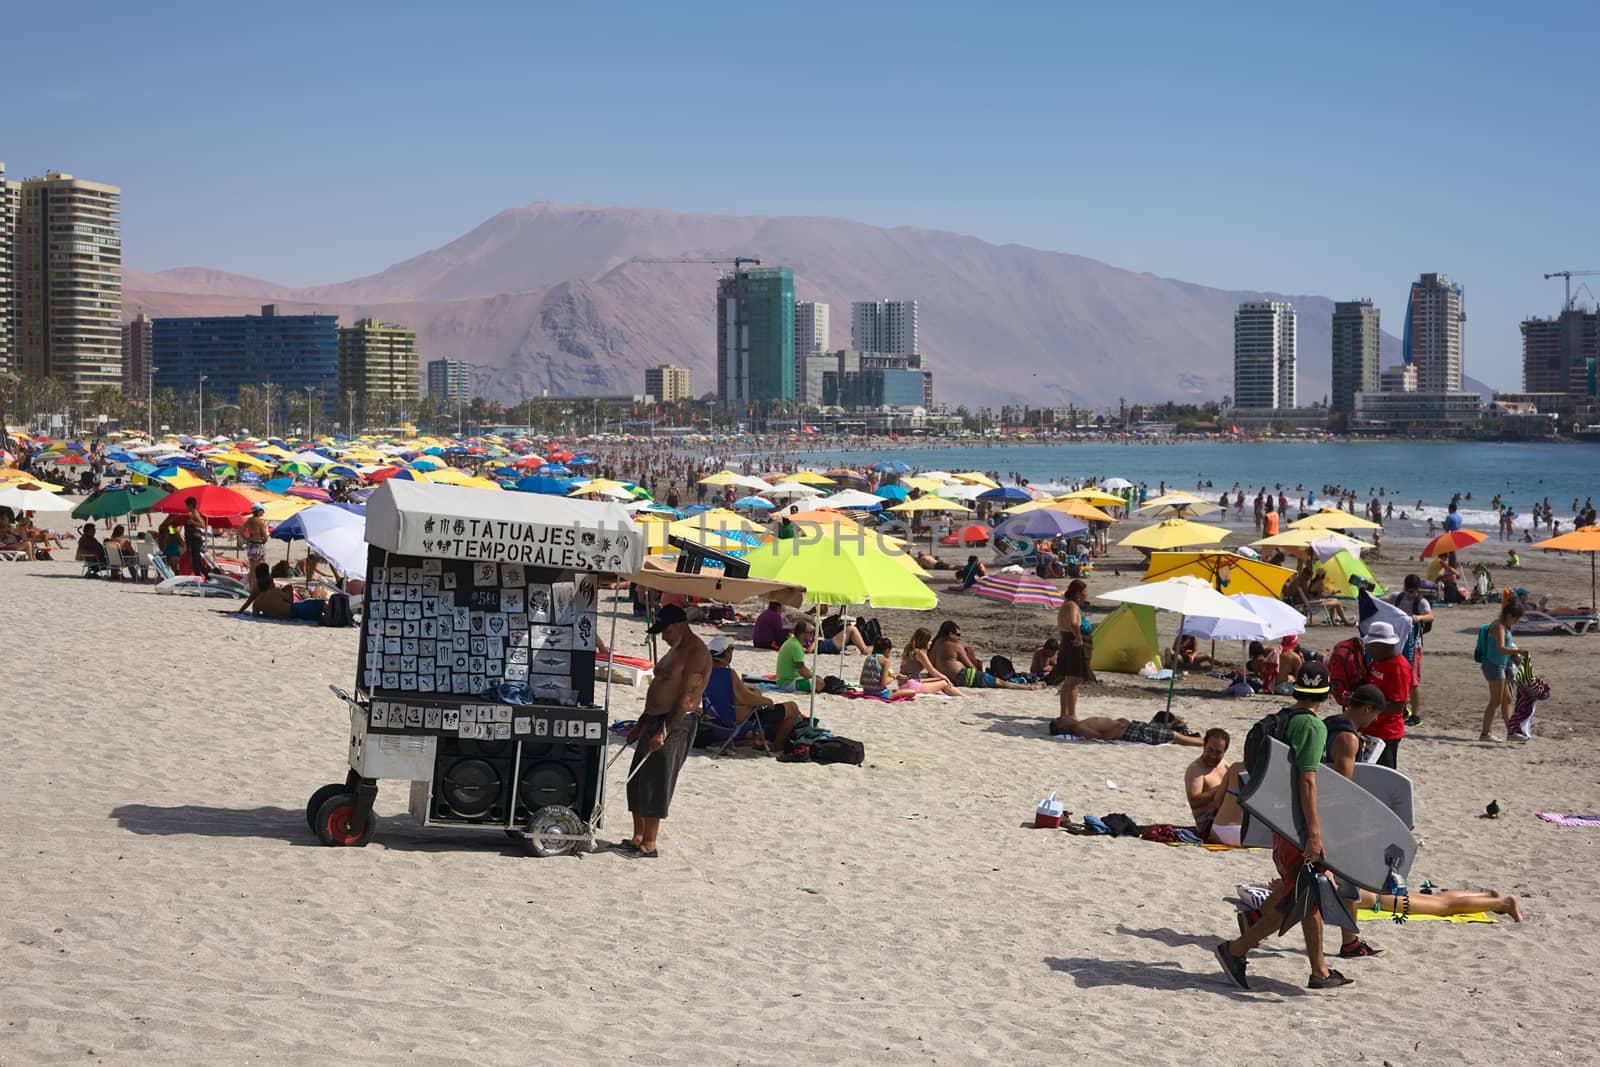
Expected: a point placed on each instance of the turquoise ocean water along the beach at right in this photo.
(1522, 474)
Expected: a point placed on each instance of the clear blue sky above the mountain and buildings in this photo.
(1241, 146)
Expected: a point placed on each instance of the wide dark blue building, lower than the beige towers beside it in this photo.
(297, 354)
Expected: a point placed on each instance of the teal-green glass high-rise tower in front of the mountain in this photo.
(756, 338)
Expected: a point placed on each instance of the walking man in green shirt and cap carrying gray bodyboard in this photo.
(1308, 738)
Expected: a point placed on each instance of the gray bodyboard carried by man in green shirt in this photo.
(1361, 836)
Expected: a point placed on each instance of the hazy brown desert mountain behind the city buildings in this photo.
(553, 298)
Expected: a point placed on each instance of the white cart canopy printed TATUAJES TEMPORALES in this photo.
(463, 524)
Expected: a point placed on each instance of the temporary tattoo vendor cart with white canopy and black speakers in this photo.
(476, 674)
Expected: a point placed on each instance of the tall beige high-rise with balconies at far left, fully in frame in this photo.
(68, 268)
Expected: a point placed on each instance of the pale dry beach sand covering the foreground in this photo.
(164, 901)
